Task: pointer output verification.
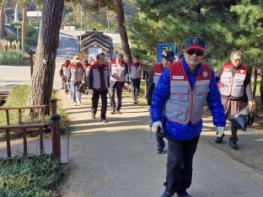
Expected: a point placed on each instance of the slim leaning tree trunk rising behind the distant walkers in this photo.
(122, 29)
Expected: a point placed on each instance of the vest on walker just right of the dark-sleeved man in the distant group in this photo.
(118, 71)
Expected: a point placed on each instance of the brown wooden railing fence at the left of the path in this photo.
(40, 126)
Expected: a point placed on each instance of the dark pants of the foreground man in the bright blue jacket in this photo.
(179, 165)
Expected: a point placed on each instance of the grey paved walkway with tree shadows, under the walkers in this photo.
(118, 159)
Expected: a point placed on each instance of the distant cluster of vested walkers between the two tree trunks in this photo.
(102, 78)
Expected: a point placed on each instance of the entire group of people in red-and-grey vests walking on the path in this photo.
(178, 89)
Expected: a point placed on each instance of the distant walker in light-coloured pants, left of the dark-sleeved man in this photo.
(76, 76)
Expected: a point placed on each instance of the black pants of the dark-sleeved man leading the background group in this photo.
(95, 100)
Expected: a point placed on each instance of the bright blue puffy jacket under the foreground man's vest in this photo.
(188, 131)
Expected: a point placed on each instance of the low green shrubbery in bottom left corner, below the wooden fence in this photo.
(32, 176)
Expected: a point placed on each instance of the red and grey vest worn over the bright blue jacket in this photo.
(184, 104)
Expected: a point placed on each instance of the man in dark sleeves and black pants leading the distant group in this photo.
(98, 85)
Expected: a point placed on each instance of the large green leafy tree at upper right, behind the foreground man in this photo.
(225, 25)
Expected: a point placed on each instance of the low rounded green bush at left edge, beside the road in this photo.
(13, 57)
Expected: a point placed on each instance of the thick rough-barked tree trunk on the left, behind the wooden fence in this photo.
(48, 39)
